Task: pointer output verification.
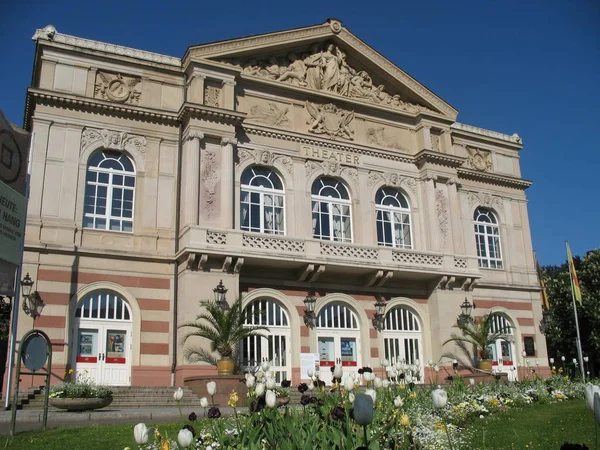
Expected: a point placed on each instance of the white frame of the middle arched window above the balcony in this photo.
(331, 202)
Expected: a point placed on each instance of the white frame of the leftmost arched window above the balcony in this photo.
(262, 207)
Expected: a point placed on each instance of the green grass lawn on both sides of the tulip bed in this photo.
(533, 427)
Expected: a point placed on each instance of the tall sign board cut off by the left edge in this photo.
(14, 154)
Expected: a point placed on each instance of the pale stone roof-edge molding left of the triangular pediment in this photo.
(49, 33)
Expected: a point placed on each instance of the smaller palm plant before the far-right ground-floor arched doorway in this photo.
(478, 335)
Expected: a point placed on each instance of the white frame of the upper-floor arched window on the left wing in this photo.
(111, 187)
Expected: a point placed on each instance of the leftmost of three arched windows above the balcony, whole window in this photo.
(262, 201)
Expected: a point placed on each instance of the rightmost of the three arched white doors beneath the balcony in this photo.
(402, 336)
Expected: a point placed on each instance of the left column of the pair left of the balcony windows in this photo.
(191, 186)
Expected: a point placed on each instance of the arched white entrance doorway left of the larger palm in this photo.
(102, 335)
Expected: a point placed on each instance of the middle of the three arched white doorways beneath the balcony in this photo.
(338, 339)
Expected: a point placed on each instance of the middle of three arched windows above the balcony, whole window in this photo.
(331, 214)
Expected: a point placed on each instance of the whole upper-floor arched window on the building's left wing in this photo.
(109, 192)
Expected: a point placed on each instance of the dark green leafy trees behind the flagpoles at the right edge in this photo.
(561, 333)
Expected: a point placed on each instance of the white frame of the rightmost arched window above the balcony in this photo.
(382, 210)
